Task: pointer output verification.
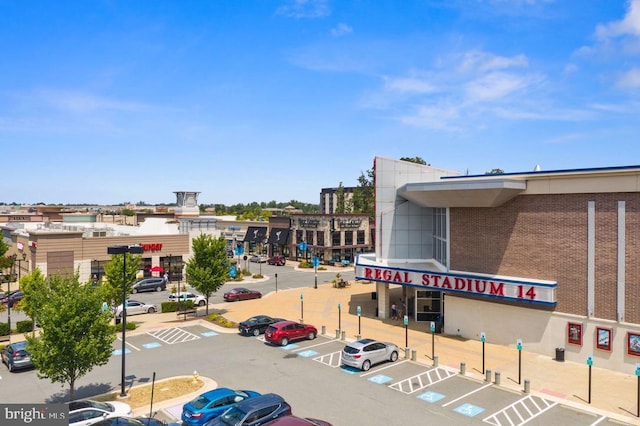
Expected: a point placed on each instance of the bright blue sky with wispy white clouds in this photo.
(257, 100)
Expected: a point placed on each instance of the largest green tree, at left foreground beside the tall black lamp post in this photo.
(76, 334)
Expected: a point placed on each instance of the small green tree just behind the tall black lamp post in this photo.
(111, 287)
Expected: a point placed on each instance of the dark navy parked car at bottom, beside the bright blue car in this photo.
(254, 411)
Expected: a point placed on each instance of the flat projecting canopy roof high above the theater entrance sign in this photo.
(471, 193)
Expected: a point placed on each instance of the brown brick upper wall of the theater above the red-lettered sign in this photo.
(545, 237)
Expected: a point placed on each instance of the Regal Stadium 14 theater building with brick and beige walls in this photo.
(547, 258)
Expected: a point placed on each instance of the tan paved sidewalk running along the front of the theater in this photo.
(612, 394)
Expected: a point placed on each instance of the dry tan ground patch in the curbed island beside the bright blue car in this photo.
(140, 396)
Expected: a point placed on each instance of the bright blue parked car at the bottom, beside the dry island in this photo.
(211, 404)
